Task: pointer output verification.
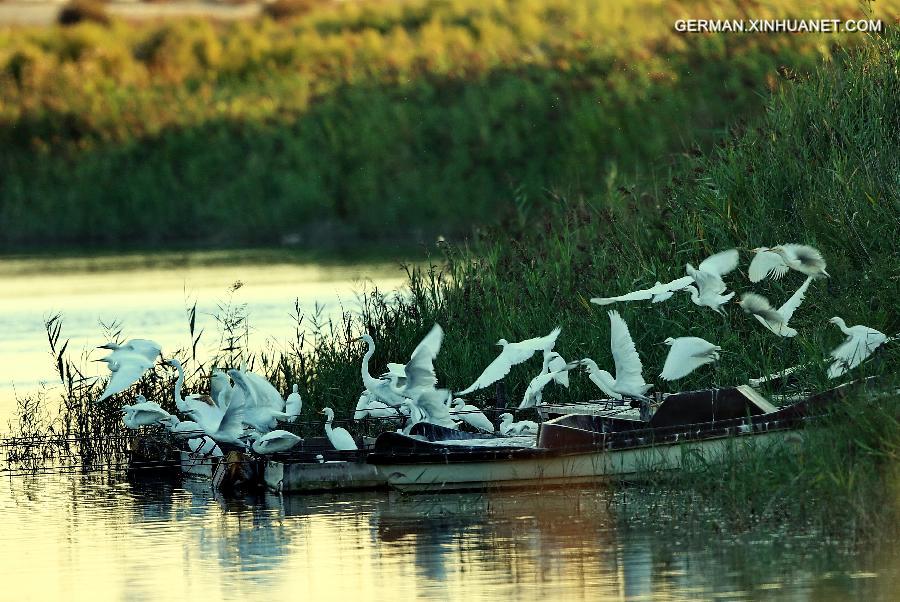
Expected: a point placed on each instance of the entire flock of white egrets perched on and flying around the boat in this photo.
(243, 409)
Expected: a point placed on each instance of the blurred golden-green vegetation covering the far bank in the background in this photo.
(372, 117)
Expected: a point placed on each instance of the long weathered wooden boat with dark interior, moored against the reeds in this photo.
(580, 448)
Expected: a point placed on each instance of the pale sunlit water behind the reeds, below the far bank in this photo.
(148, 295)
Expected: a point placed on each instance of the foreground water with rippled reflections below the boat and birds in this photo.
(164, 538)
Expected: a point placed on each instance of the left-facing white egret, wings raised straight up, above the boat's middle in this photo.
(628, 380)
